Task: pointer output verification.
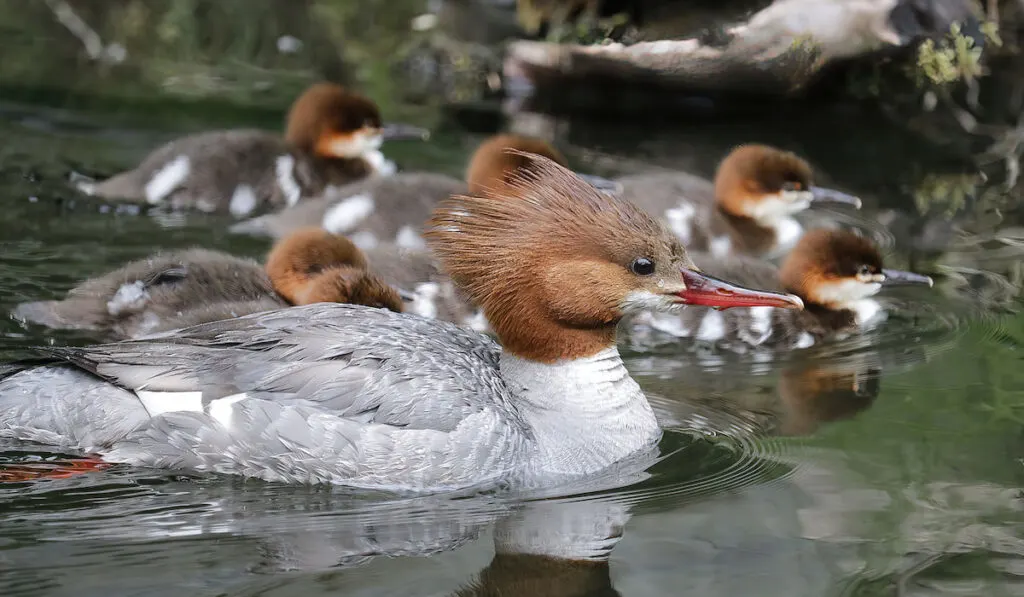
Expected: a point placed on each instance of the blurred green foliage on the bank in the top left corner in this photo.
(239, 53)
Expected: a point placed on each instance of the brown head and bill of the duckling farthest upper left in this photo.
(330, 121)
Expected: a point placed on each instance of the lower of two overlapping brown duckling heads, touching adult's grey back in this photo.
(355, 286)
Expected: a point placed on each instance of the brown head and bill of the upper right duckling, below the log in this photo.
(769, 185)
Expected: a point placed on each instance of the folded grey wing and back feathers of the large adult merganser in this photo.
(366, 364)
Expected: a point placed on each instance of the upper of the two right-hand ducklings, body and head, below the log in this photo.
(749, 209)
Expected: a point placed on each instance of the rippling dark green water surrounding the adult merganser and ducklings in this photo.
(888, 464)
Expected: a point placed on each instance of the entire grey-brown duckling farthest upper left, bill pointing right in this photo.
(333, 138)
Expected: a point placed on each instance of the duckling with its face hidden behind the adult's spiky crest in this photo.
(394, 209)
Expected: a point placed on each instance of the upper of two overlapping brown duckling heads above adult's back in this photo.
(295, 261)
